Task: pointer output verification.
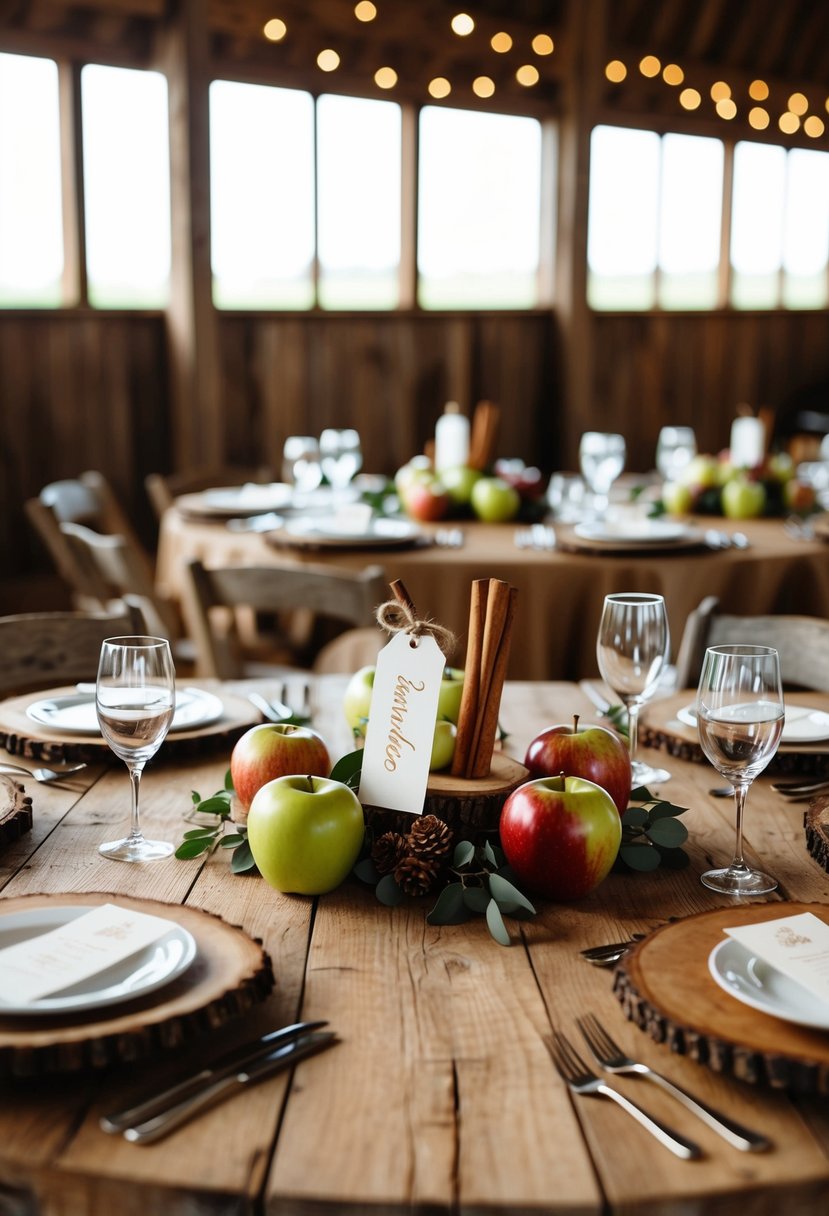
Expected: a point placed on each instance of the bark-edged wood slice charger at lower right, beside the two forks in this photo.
(666, 988)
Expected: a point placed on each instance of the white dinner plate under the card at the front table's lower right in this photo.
(757, 983)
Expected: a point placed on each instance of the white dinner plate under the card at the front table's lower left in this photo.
(144, 972)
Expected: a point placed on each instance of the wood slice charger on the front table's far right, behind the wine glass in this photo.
(662, 729)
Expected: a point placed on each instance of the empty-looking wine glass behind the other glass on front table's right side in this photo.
(633, 650)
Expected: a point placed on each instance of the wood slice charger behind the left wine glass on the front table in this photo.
(24, 738)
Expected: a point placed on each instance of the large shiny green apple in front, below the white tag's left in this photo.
(306, 834)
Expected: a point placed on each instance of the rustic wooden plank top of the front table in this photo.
(442, 1095)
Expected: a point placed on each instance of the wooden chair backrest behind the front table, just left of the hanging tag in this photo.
(341, 596)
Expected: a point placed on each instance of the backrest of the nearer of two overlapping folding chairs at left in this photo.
(111, 570)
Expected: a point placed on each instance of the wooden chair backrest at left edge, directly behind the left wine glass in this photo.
(46, 650)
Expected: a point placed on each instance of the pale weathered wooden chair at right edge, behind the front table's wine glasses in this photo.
(803, 644)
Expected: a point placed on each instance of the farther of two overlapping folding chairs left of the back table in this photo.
(91, 503)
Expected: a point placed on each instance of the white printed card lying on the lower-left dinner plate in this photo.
(78, 950)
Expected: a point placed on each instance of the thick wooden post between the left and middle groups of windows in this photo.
(198, 430)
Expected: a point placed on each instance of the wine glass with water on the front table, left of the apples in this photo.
(136, 701)
